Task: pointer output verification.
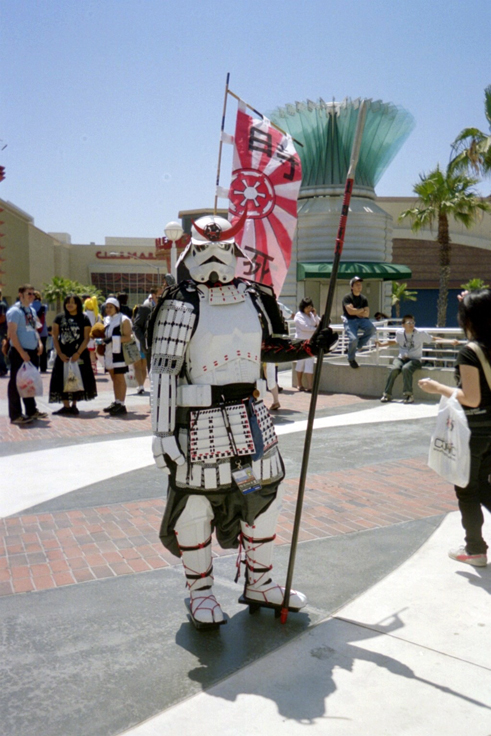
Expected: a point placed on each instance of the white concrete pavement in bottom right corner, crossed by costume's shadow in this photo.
(409, 656)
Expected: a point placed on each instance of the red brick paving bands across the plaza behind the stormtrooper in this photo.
(51, 550)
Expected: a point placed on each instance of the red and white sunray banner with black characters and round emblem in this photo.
(266, 179)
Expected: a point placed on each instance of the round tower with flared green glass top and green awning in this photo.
(326, 131)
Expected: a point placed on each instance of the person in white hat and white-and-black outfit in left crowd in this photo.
(117, 332)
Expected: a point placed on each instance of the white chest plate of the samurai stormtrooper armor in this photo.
(226, 347)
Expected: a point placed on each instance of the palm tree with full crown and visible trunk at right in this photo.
(442, 195)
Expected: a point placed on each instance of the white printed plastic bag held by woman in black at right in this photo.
(449, 454)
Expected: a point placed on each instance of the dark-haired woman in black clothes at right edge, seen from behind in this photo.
(473, 372)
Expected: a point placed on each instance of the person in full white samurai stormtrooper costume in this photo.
(213, 434)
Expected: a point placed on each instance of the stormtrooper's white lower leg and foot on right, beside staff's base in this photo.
(258, 543)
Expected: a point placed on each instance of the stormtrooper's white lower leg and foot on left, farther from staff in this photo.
(193, 532)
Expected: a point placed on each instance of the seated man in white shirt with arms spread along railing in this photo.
(410, 342)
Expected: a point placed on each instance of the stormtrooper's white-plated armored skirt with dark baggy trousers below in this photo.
(212, 457)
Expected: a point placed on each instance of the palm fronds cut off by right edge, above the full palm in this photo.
(472, 148)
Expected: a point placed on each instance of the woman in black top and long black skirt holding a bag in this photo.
(72, 378)
